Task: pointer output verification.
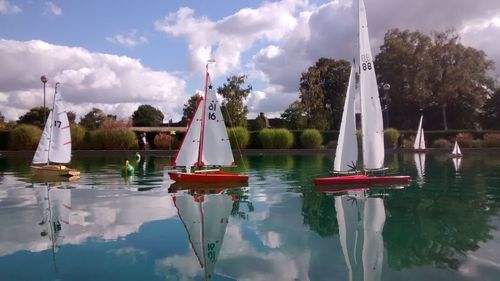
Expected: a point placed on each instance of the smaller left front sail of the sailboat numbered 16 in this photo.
(189, 150)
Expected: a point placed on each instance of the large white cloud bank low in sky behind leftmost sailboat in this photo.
(116, 84)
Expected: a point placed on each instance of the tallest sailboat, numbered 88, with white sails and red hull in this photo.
(371, 121)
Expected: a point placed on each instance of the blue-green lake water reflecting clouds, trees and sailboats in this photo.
(443, 226)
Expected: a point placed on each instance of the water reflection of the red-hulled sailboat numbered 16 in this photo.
(204, 211)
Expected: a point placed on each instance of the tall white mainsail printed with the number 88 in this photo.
(371, 112)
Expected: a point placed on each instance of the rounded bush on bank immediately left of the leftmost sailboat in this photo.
(24, 137)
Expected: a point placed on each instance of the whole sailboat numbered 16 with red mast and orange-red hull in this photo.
(206, 144)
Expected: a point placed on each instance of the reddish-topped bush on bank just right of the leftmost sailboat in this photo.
(113, 134)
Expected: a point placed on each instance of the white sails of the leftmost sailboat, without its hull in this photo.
(55, 143)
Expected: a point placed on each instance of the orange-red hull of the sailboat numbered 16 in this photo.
(207, 177)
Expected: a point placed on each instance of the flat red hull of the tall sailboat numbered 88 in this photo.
(362, 180)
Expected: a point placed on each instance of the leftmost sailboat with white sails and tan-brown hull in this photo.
(54, 148)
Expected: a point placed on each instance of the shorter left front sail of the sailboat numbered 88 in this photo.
(346, 154)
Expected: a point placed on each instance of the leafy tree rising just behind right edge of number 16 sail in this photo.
(233, 110)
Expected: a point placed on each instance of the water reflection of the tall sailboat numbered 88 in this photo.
(361, 218)
